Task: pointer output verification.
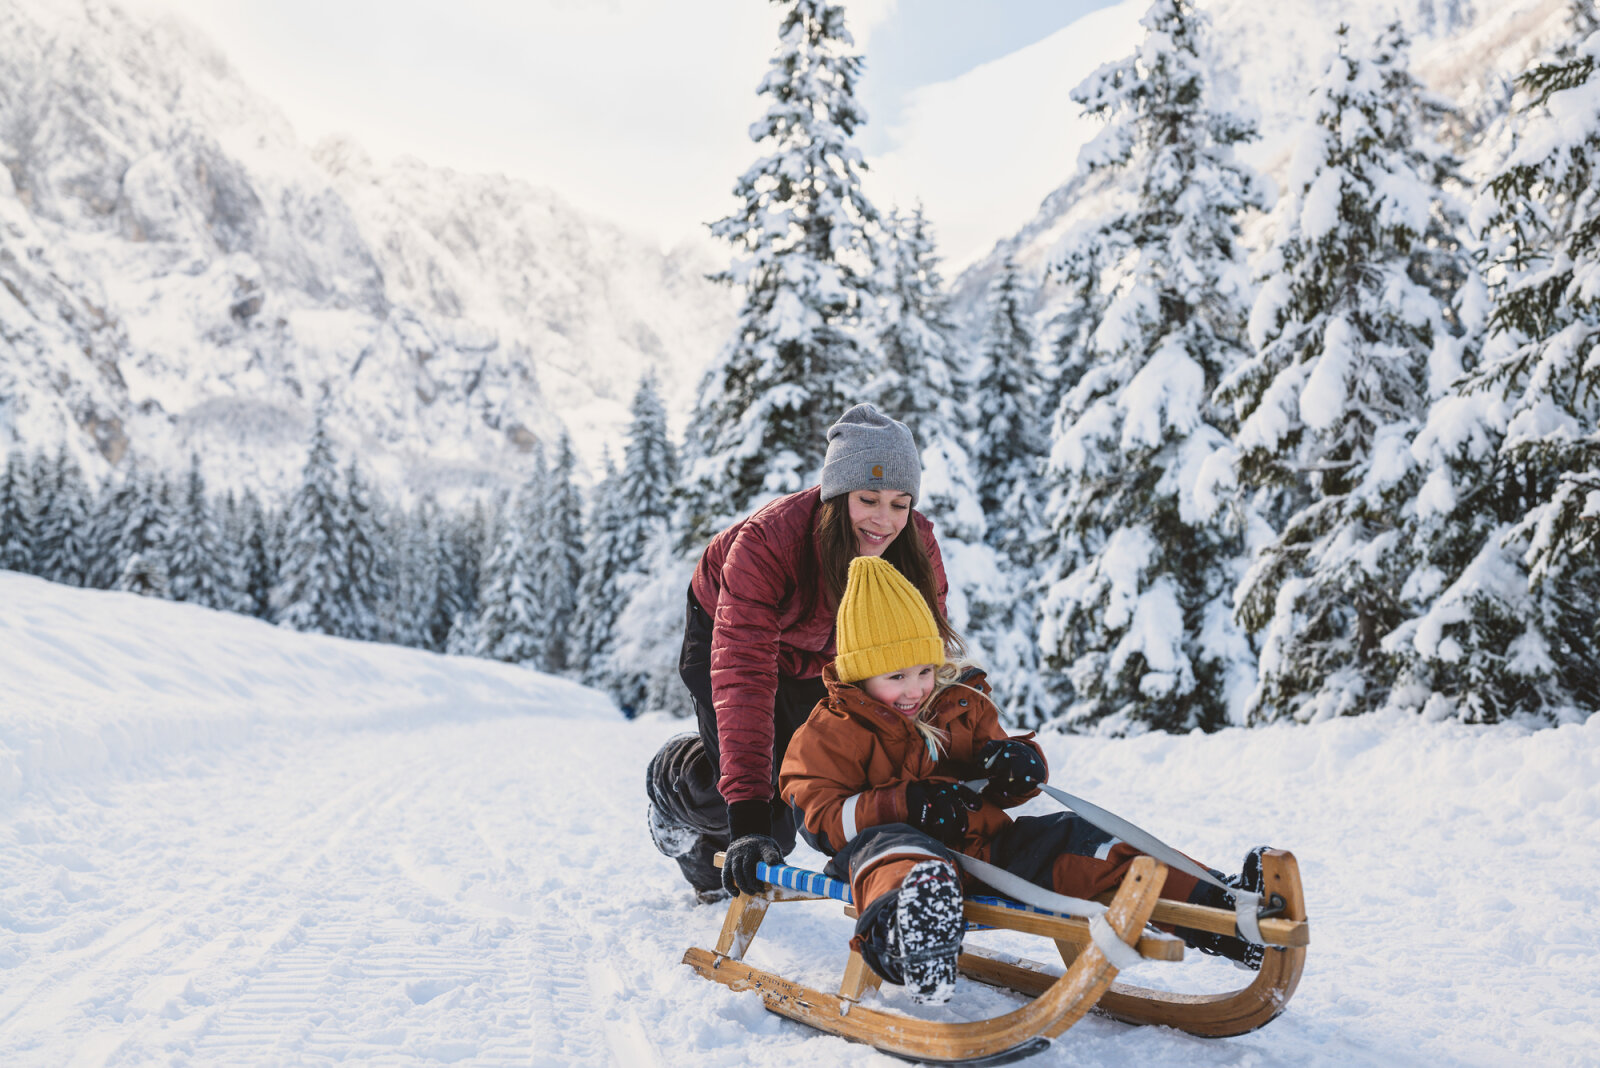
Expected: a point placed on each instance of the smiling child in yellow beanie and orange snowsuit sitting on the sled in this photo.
(874, 779)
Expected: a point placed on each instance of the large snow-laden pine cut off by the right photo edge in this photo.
(1513, 628)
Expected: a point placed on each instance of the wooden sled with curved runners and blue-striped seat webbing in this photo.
(1058, 1000)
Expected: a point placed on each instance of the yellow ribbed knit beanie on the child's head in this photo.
(884, 623)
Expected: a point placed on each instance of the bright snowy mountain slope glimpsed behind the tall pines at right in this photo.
(1465, 50)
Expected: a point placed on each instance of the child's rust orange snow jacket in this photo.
(847, 768)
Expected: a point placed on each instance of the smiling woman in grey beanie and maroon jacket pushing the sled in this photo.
(758, 636)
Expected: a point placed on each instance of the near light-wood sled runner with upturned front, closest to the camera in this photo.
(1060, 1005)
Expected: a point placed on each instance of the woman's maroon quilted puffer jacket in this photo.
(750, 584)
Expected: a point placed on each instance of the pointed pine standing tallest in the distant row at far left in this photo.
(311, 594)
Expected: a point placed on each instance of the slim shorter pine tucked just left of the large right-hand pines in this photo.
(1009, 432)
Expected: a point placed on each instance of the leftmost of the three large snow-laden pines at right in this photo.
(1138, 610)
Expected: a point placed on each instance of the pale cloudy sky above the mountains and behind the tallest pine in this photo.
(639, 110)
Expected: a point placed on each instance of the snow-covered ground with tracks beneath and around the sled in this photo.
(226, 843)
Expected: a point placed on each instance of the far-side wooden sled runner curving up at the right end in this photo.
(1212, 1016)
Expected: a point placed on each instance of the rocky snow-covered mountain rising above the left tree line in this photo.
(180, 274)
